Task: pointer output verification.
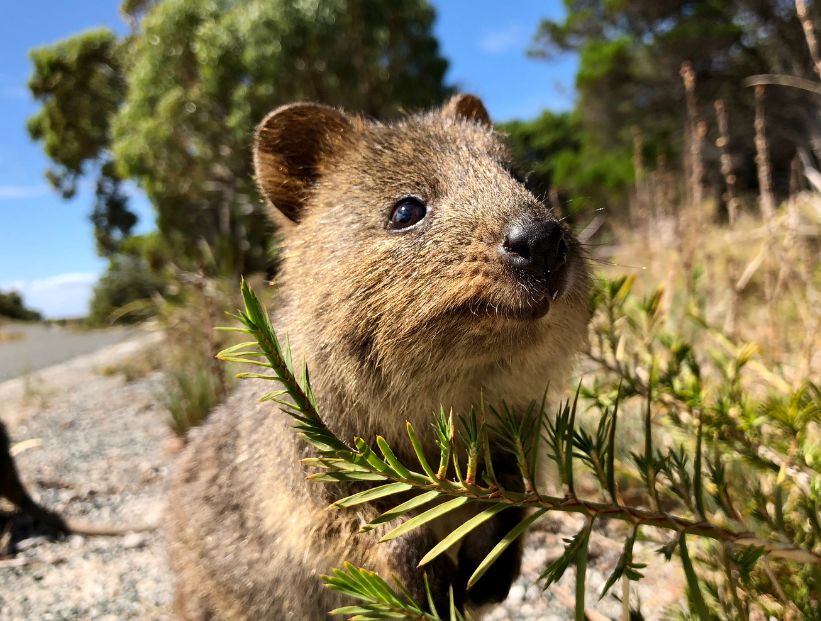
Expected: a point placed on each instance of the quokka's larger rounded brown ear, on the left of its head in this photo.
(289, 146)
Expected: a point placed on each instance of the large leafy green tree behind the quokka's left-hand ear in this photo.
(173, 105)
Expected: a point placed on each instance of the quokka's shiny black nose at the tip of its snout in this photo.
(537, 247)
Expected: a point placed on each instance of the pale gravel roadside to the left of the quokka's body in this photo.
(103, 458)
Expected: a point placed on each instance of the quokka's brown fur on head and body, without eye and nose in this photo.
(392, 323)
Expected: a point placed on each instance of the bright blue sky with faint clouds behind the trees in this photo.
(47, 244)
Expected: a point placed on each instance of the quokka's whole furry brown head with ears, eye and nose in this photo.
(410, 244)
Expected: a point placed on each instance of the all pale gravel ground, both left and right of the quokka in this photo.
(103, 457)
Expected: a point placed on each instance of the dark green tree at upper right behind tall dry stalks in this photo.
(630, 55)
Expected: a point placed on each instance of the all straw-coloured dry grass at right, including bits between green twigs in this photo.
(753, 282)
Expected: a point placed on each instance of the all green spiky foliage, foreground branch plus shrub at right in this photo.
(768, 539)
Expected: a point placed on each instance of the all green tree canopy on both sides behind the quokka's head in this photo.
(171, 106)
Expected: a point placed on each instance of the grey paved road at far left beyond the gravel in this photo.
(34, 346)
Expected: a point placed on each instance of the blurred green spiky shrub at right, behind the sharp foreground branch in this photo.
(742, 442)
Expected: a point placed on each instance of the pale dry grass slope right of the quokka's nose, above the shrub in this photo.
(759, 282)
